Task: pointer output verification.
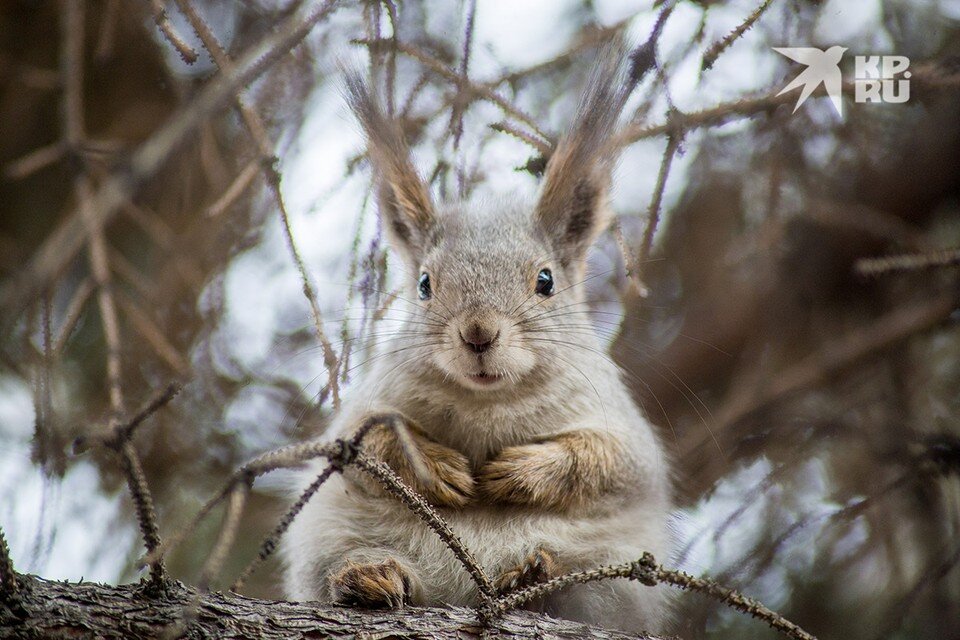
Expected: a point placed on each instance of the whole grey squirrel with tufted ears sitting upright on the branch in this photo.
(535, 452)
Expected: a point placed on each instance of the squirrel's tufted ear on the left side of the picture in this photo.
(404, 201)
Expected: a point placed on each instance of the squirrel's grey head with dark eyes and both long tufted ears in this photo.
(498, 287)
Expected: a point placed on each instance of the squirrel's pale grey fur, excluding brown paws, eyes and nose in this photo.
(483, 260)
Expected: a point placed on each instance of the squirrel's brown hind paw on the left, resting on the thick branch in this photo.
(383, 585)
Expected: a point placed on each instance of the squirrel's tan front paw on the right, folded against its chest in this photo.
(530, 474)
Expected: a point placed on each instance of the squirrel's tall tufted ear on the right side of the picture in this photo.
(572, 207)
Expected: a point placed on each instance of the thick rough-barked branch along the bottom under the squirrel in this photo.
(51, 609)
